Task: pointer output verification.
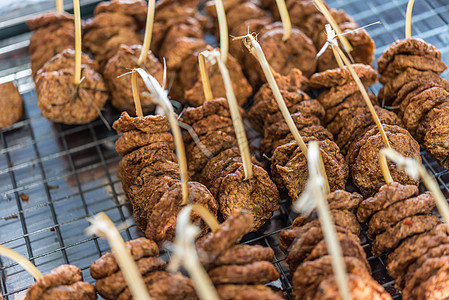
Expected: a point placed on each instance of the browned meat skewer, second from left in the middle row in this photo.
(223, 172)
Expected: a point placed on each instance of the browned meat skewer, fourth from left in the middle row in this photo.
(350, 121)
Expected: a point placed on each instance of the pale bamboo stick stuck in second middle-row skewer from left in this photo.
(214, 56)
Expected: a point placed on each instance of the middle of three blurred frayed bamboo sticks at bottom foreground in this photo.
(185, 255)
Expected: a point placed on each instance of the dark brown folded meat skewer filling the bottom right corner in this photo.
(415, 240)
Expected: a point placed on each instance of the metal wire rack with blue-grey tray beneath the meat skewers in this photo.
(52, 177)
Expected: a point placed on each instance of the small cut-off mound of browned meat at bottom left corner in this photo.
(64, 282)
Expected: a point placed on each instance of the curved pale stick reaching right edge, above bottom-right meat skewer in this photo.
(416, 170)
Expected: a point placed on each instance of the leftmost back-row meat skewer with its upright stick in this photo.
(77, 92)
